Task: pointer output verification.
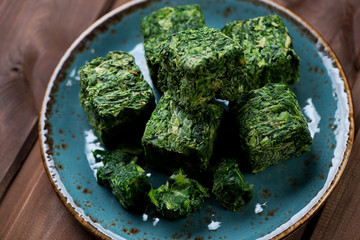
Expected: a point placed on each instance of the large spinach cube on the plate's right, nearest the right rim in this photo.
(272, 126)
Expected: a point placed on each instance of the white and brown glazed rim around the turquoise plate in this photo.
(90, 225)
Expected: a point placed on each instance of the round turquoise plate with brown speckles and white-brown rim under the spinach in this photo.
(285, 196)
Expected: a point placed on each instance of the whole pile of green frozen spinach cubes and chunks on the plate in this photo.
(249, 63)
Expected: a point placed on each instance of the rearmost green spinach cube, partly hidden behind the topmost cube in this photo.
(156, 26)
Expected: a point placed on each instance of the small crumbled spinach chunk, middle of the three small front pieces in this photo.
(179, 197)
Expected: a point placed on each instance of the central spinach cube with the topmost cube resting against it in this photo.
(175, 138)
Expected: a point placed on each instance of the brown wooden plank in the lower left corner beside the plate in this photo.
(31, 209)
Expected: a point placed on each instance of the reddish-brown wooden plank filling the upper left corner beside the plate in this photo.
(34, 36)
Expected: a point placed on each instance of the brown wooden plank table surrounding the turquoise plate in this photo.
(33, 36)
